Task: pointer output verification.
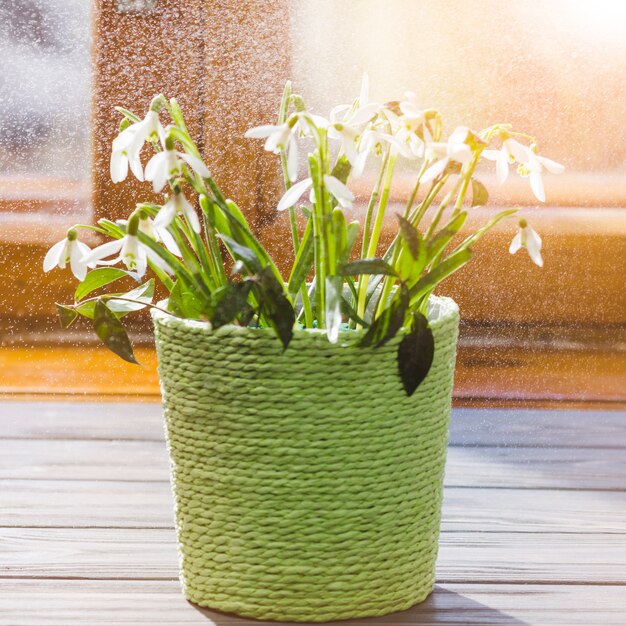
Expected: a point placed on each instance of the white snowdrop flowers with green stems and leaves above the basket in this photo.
(198, 244)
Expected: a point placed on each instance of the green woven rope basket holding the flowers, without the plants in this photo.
(307, 485)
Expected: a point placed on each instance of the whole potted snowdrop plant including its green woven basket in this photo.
(306, 412)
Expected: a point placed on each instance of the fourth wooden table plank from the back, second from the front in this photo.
(463, 557)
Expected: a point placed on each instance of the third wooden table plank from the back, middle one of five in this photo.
(90, 504)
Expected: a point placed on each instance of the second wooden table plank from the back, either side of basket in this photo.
(545, 468)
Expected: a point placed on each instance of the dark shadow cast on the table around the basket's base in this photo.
(442, 607)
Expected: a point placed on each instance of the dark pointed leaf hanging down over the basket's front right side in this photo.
(415, 354)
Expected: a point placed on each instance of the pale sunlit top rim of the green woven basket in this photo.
(441, 309)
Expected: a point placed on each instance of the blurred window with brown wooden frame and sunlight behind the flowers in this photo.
(557, 70)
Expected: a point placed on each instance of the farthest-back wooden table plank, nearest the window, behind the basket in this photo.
(468, 427)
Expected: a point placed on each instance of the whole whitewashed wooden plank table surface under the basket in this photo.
(534, 524)
